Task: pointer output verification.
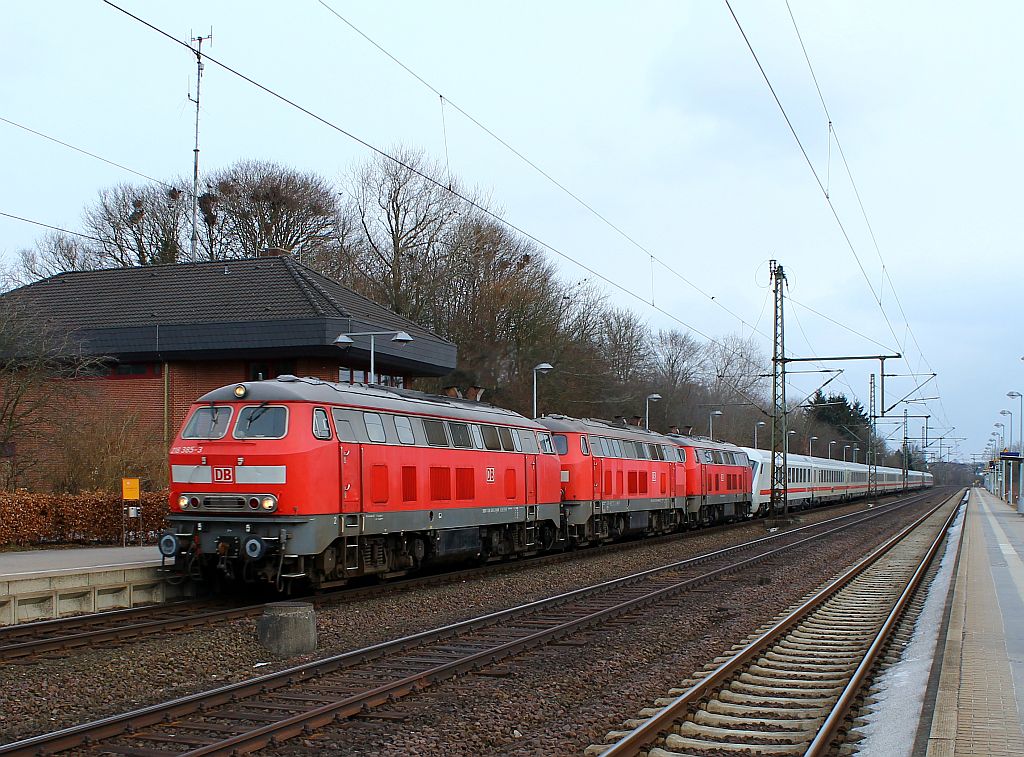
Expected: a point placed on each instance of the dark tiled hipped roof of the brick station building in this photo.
(188, 310)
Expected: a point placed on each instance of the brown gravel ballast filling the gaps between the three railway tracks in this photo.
(560, 700)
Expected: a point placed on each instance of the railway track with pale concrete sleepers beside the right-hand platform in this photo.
(789, 691)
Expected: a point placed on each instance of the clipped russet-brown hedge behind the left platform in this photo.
(92, 518)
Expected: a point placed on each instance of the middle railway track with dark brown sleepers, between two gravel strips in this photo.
(252, 714)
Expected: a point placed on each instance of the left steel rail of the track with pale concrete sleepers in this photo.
(641, 738)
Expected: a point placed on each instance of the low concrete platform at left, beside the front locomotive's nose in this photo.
(42, 584)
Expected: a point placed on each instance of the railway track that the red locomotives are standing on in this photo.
(25, 642)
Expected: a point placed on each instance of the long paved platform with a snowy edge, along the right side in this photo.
(979, 699)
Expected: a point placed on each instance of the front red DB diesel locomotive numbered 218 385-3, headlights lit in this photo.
(301, 480)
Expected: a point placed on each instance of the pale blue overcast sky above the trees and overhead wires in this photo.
(654, 113)
